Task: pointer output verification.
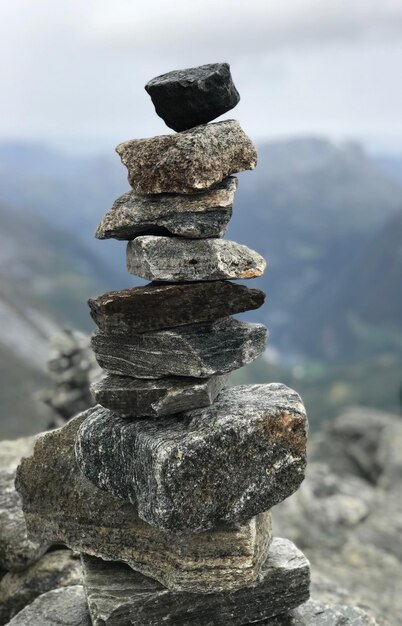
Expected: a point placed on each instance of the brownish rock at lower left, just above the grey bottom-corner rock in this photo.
(55, 569)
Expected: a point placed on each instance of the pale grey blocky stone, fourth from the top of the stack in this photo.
(179, 260)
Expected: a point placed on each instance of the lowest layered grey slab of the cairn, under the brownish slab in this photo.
(118, 596)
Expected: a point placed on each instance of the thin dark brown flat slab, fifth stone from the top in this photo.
(154, 306)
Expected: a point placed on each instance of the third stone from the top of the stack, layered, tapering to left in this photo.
(200, 215)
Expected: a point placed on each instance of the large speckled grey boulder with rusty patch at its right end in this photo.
(190, 472)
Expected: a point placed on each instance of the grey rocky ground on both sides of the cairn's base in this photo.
(346, 517)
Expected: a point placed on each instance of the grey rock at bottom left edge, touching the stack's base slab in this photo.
(66, 606)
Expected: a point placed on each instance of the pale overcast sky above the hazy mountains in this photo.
(72, 71)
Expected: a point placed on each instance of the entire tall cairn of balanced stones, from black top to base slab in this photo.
(166, 486)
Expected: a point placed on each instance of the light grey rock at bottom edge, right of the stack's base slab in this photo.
(314, 613)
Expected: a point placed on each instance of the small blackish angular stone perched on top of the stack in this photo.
(198, 95)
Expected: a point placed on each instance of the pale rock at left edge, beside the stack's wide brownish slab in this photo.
(16, 550)
